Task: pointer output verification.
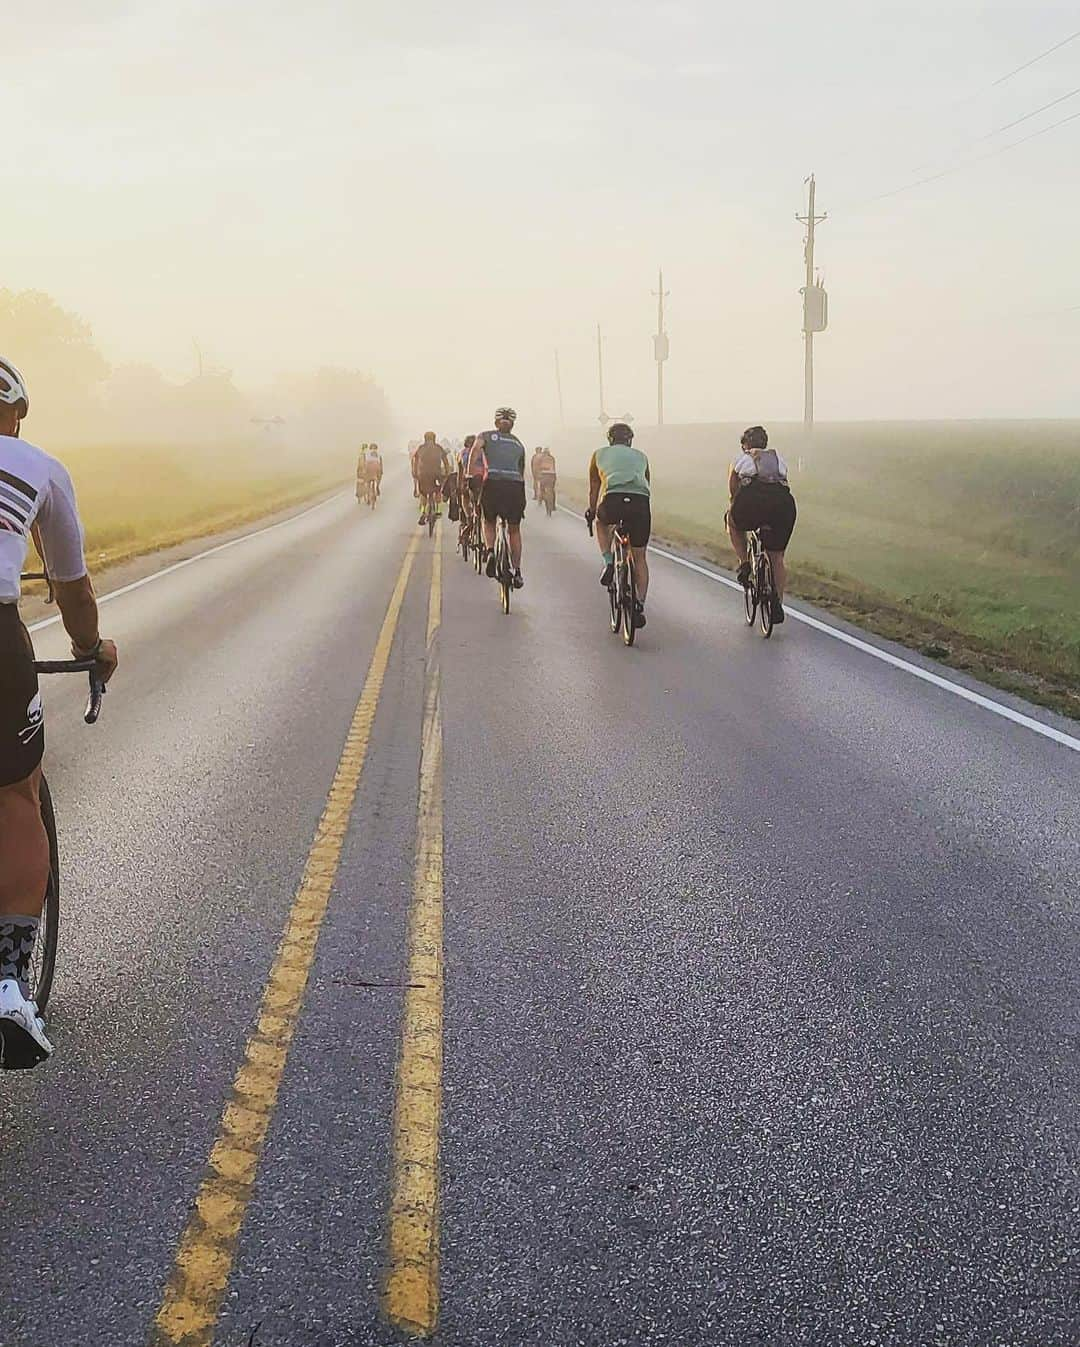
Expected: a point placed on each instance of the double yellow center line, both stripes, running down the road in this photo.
(207, 1252)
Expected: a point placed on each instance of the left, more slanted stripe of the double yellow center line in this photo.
(208, 1247)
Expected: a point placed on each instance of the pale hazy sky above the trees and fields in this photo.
(444, 195)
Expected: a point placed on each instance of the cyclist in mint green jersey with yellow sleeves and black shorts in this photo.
(619, 492)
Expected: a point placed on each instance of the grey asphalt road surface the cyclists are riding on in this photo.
(762, 995)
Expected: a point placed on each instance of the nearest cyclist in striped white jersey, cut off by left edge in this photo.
(36, 496)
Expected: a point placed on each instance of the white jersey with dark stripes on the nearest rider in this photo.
(36, 490)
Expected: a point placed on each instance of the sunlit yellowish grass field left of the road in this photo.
(139, 500)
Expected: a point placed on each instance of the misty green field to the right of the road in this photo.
(961, 538)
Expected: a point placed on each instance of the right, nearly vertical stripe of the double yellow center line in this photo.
(411, 1298)
